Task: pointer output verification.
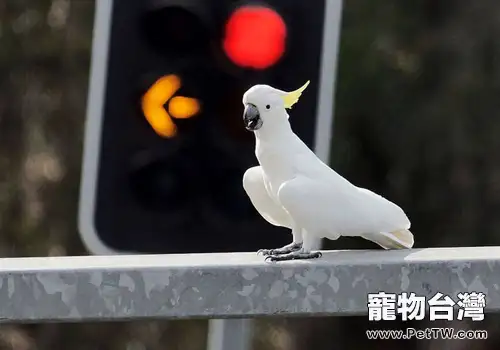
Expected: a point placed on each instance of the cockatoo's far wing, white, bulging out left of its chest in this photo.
(253, 183)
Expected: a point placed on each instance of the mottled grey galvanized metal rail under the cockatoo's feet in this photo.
(242, 285)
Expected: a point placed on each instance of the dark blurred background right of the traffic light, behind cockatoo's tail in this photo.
(415, 121)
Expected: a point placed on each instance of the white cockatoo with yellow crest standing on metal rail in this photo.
(293, 188)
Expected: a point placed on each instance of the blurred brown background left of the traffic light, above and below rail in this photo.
(44, 63)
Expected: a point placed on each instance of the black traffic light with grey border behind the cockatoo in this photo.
(165, 145)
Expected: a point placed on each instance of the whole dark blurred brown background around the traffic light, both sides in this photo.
(415, 119)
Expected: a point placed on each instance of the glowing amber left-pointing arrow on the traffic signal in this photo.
(179, 107)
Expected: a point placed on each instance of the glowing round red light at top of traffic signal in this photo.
(255, 37)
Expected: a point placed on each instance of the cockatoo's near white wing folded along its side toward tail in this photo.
(329, 211)
